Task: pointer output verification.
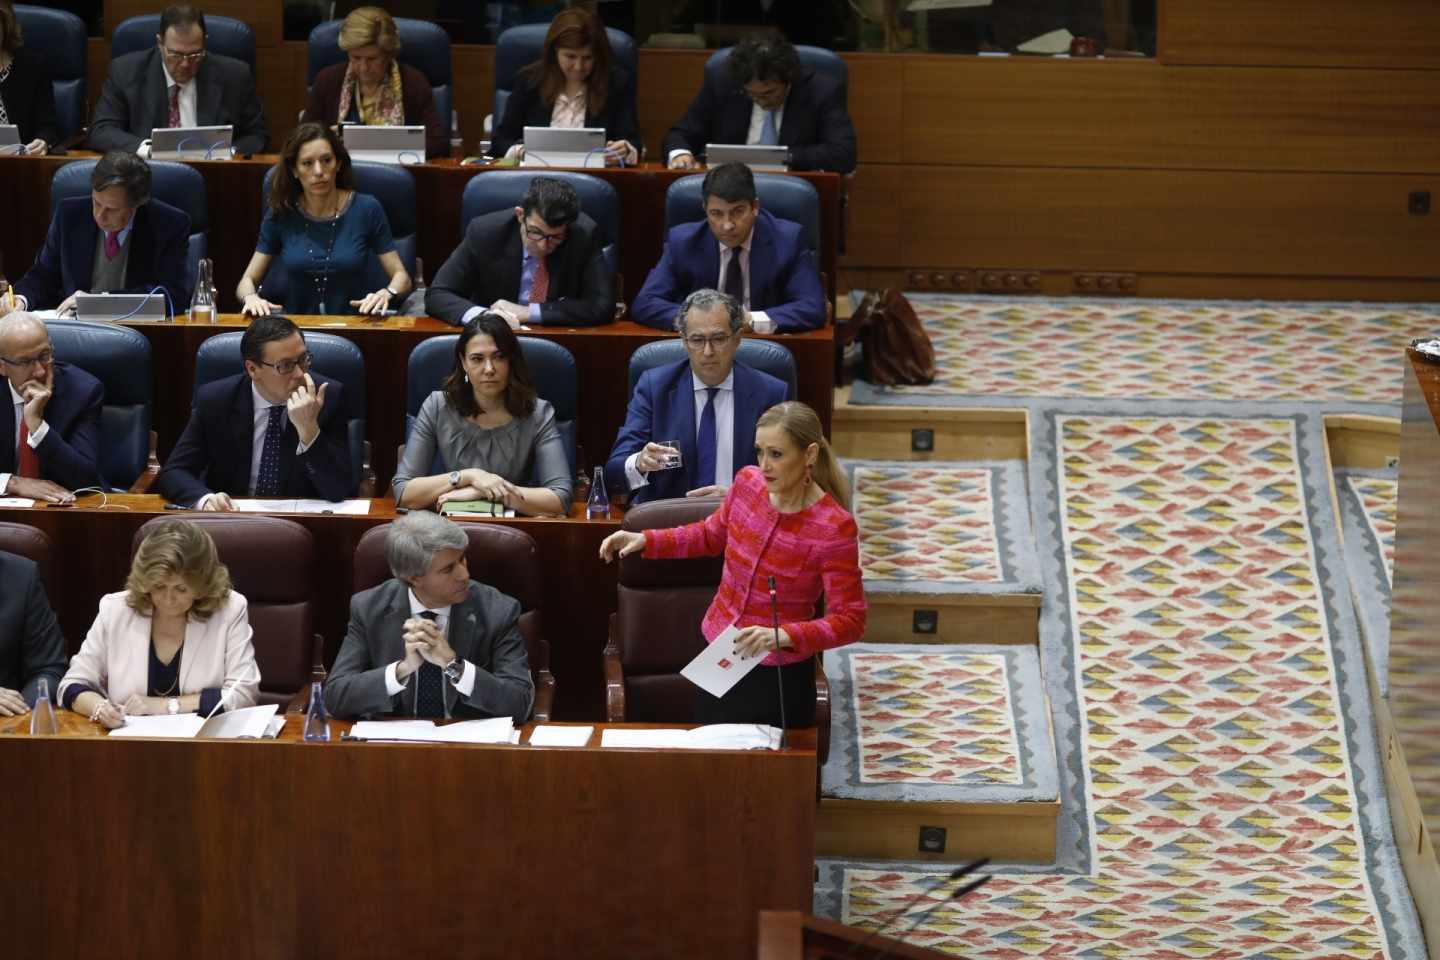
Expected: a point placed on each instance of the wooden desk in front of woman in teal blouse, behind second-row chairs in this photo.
(601, 356)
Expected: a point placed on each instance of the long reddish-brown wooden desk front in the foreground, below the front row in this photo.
(368, 850)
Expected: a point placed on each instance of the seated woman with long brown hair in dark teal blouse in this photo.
(325, 234)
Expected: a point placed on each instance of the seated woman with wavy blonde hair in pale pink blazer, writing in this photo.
(175, 640)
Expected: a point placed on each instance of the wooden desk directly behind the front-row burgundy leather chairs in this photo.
(93, 555)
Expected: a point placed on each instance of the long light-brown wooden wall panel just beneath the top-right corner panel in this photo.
(1143, 114)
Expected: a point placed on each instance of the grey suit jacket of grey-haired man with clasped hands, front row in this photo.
(485, 630)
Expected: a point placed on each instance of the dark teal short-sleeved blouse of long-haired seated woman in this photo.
(328, 261)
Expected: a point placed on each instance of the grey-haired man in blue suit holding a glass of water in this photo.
(706, 405)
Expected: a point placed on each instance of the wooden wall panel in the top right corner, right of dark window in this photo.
(1382, 34)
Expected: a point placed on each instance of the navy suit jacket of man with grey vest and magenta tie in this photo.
(159, 244)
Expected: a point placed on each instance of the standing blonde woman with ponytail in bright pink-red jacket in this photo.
(783, 519)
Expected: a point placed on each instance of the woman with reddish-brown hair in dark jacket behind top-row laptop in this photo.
(574, 84)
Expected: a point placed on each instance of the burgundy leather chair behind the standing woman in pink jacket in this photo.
(660, 605)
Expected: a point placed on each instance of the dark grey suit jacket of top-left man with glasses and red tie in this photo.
(135, 101)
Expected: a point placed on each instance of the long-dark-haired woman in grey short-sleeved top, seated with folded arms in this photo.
(489, 430)
